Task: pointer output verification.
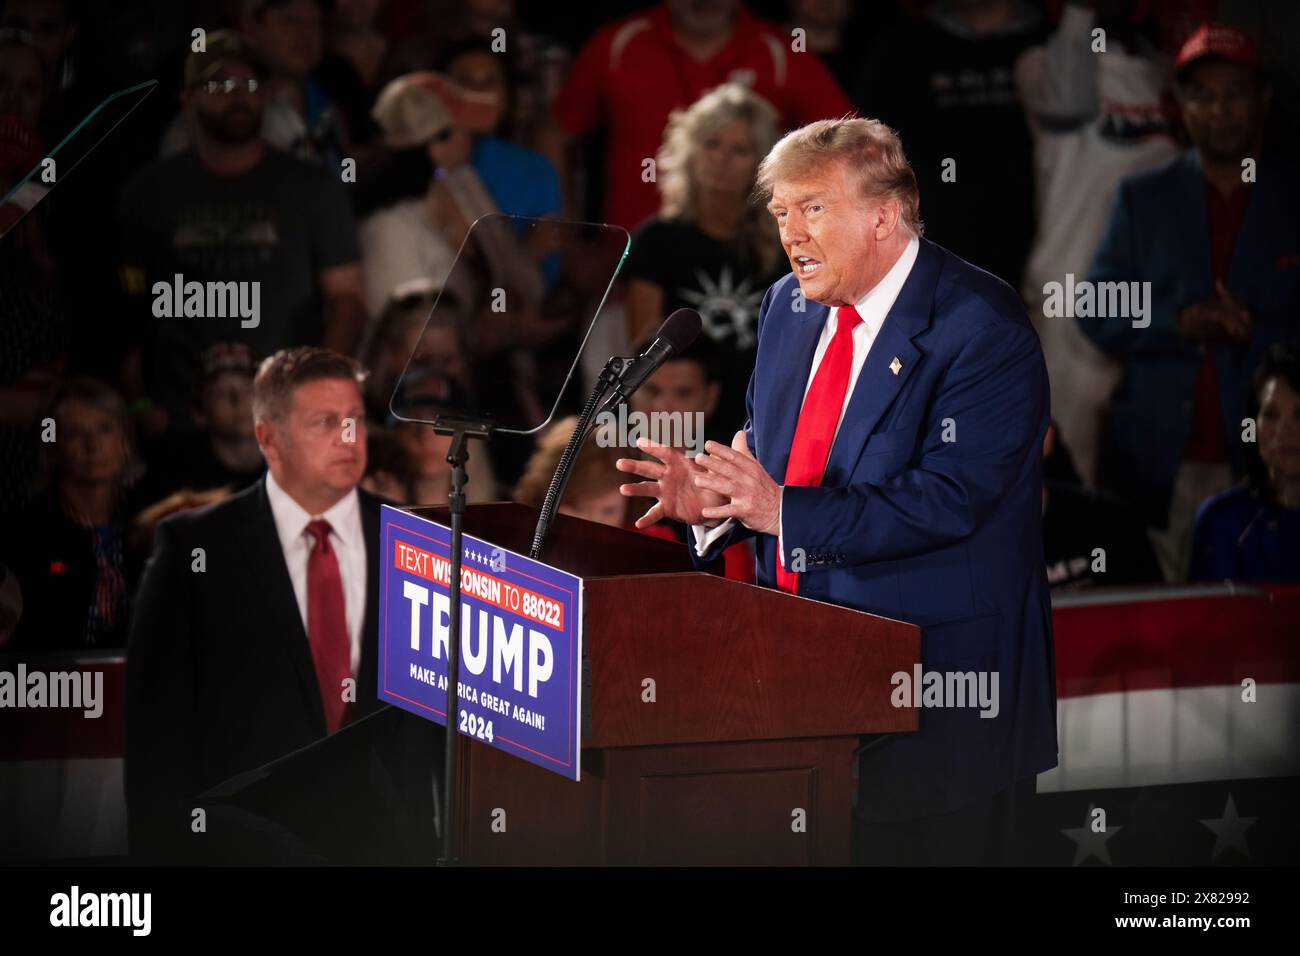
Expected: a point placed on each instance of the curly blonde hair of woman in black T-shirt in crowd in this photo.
(688, 129)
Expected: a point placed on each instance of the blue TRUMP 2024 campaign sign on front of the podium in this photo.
(521, 642)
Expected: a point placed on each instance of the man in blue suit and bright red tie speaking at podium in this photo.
(892, 464)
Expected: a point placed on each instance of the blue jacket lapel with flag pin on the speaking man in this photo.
(878, 384)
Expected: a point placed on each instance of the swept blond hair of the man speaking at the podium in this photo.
(872, 152)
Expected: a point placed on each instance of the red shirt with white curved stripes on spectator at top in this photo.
(632, 75)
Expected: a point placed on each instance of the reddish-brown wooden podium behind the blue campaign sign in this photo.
(721, 720)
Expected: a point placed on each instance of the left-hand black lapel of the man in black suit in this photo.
(267, 557)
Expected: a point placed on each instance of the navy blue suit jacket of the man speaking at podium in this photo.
(930, 512)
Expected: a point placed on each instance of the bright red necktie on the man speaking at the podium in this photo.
(818, 419)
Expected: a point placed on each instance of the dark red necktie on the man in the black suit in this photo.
(327, 625)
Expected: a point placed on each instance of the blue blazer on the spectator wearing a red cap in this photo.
(1159, 233)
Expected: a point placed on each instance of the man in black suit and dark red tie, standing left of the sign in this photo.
(257, 629)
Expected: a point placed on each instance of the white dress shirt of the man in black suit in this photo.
(349, 543)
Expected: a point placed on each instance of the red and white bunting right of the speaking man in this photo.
(1177, 686)
